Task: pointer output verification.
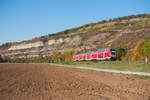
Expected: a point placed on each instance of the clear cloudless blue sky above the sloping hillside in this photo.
(26, 19)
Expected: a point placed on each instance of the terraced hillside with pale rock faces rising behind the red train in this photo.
(125, 32)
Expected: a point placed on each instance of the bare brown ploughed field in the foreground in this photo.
(47, 82)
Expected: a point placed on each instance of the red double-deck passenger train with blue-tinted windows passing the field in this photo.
(103, 54)
